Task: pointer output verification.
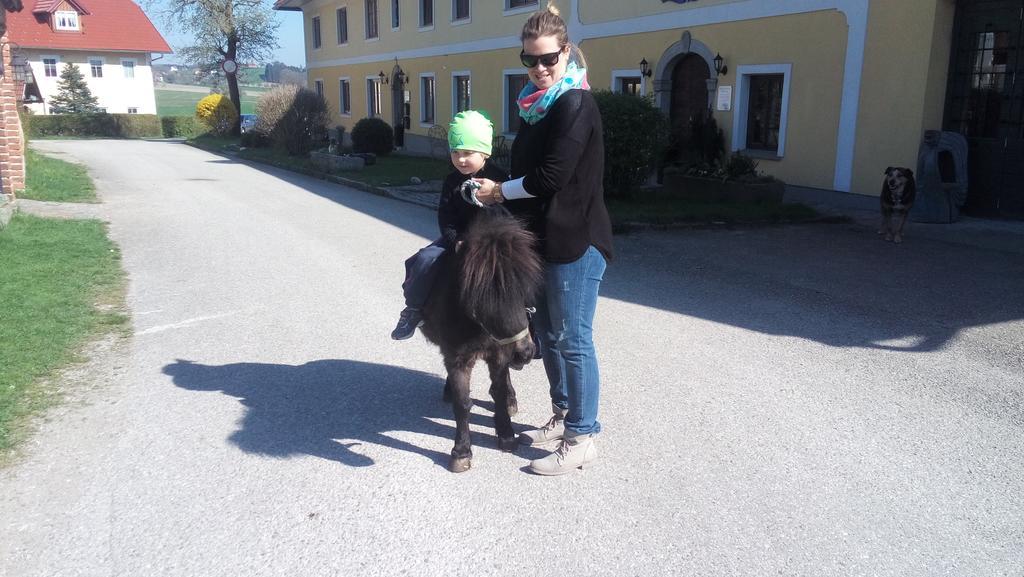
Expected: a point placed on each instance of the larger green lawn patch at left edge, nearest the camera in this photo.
(56, 273)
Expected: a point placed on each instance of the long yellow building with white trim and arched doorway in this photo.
(826, 94)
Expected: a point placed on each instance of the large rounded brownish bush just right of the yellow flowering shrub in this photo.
(293, 118)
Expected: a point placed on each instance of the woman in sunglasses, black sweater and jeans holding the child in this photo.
(558, 170)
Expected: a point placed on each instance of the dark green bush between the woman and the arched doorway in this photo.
(635, 137)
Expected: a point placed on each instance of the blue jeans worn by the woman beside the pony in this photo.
(565, 321)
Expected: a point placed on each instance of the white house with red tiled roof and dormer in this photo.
(111, 42)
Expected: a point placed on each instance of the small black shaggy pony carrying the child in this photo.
(479, 310)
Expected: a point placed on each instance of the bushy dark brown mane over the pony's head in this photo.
(499, 264)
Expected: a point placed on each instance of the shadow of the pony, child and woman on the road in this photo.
(329, 408)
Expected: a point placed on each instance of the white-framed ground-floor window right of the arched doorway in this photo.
(759, 123)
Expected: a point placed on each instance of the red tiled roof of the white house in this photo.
(108, 25)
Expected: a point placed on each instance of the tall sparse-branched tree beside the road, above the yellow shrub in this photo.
(226, 30)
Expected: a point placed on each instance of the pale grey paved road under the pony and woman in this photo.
(784, 401)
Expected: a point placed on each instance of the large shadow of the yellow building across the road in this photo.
(836, 284)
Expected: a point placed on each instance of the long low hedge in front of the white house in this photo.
(103, 125)
